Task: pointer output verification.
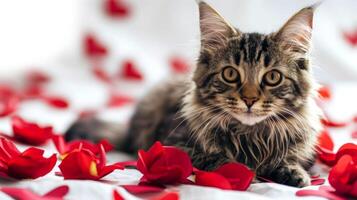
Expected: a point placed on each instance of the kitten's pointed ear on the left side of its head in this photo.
(214, 29)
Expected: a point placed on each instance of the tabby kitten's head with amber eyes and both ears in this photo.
(252, 76)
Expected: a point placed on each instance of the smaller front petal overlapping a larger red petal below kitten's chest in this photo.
(212, 179)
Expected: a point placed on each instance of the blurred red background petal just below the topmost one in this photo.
(93, 48)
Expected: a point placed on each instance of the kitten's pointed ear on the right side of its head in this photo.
(295, 35)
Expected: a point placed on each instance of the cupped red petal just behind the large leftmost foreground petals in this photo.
(30, 133)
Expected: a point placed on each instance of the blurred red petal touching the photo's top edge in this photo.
(116, 8)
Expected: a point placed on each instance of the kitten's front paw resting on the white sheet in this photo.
(293, 175)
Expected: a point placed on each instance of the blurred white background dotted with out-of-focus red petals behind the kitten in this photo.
(101, 56)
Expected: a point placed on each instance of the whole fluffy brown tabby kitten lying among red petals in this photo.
(251, 100)
